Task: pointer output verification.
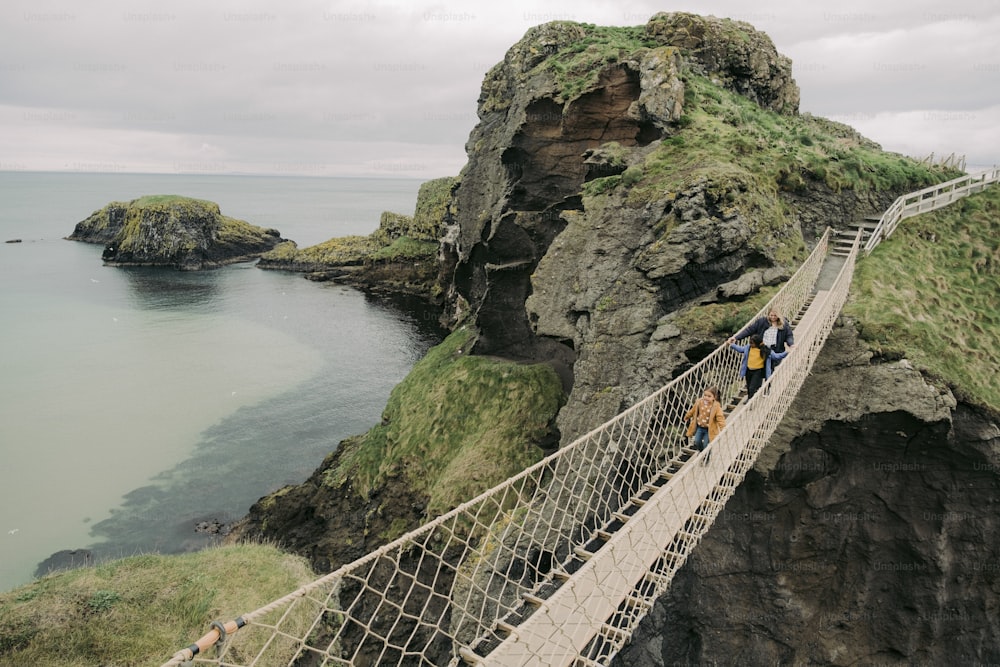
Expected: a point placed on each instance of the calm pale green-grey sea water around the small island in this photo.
(136, 403)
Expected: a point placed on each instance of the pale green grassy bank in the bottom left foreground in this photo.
(139, 610)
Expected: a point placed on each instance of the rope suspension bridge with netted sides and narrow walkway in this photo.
(559, 563)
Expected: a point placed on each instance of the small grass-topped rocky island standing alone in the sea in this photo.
(173, 231)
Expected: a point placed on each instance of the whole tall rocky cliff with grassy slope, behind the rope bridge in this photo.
(615, 179)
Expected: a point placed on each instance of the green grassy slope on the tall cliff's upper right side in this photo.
(748, 156)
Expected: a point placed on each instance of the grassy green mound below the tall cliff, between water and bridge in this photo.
(457, 425)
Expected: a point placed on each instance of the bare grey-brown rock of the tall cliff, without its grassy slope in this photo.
(597, 275)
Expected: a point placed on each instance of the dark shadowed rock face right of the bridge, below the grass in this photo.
(865, 534)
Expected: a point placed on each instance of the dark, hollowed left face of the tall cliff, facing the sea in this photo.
(526, 165)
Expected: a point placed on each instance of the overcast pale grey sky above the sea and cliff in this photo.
(341, 88)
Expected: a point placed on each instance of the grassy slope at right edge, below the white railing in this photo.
(929, 294)
